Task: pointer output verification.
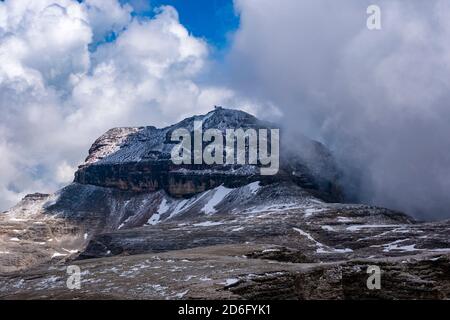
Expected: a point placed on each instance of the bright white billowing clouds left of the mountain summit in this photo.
(57, 96)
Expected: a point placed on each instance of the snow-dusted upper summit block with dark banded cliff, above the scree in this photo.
(138, 159)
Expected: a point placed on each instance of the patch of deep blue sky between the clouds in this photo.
(212, 20)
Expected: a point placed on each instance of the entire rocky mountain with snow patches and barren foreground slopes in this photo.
(140, 227)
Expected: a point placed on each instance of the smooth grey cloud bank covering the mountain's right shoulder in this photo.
(380, 99)
